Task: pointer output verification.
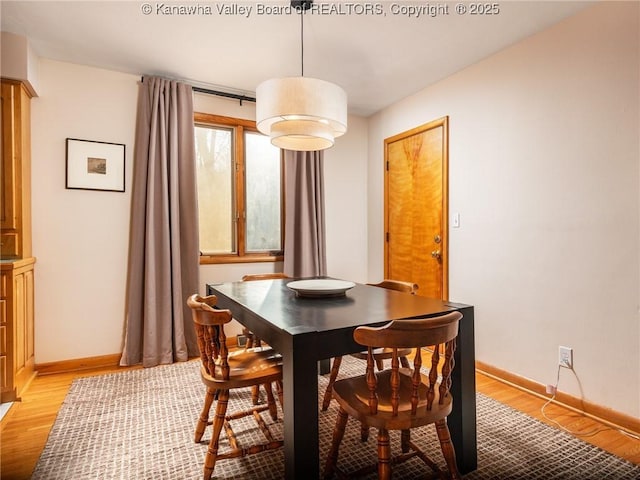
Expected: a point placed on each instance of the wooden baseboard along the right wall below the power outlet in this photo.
(597, 412)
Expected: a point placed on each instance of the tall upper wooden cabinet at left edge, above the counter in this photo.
(15, 187)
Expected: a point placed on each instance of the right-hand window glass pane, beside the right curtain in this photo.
(263, 194)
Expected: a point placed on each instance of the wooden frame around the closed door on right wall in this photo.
(440, 122)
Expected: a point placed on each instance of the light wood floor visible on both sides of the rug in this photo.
(24, 430)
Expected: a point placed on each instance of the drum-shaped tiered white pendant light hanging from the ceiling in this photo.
(301, 113)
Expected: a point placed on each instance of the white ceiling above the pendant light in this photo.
(377, 58)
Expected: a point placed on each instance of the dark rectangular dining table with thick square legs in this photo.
(309, 330)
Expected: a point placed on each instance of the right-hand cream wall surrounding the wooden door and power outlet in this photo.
(544, 171)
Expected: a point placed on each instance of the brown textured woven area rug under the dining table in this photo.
(139, 424)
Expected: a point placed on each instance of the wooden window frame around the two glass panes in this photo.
(239, 127)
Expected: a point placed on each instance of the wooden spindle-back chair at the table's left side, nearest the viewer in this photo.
(222, 371)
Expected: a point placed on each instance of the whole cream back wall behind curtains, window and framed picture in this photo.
(80, 238)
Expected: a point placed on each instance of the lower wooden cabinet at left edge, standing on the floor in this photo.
(16, 327)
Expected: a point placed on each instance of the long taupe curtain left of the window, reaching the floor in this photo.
(163, 242)
